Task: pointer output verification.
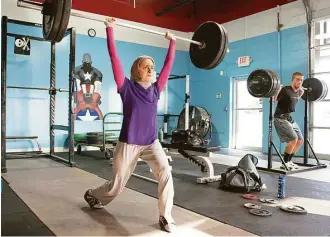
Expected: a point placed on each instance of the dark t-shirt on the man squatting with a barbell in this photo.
(287, 100)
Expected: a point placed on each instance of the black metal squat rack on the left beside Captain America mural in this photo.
(71, 32)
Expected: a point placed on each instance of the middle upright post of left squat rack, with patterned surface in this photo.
(52, 99)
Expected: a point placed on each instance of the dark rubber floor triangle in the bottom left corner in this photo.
(16, 218)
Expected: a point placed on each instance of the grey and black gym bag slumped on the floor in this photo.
(242, 178)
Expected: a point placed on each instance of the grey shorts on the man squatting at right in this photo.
(287, 131)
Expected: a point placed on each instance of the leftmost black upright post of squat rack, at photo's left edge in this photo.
(3, 92)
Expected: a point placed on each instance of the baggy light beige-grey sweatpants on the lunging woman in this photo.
(124, 162)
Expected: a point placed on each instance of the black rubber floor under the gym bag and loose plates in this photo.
(223, 206)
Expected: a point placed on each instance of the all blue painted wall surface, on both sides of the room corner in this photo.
(28, 111)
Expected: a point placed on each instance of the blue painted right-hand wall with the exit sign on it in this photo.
(264, 52)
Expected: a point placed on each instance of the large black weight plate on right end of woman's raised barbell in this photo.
(211, 34)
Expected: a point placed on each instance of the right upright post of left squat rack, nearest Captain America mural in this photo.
(71, 91)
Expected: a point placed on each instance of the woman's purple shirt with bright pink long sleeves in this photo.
(139, 104)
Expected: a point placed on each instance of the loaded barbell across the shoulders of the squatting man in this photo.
(264, 83)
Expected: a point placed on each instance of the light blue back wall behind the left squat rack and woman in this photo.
(28, 111)
